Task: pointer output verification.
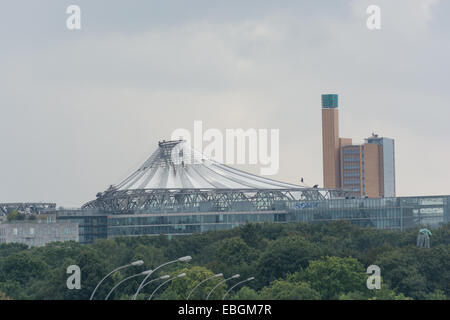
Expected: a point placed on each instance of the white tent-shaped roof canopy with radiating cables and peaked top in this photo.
(175, 165)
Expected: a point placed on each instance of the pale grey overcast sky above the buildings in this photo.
(81, 109)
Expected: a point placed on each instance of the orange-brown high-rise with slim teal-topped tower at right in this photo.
(365, 170)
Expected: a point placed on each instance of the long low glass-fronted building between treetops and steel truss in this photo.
(398, 213)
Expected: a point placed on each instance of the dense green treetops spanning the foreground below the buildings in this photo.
(288, 261)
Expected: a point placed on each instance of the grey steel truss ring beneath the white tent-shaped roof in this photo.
(167, 200)
